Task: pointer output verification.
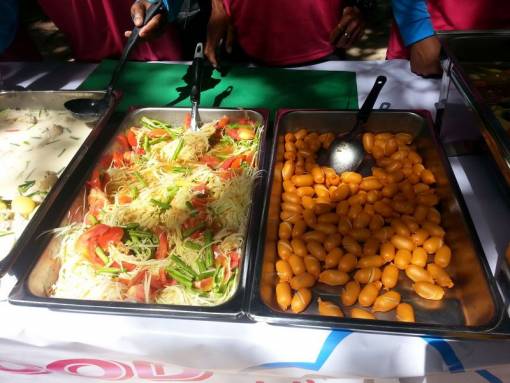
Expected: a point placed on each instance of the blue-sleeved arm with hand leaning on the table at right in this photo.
(415, 26)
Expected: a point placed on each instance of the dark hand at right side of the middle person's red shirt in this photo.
(349, 28)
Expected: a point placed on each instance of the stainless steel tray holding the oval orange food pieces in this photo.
(473, 308)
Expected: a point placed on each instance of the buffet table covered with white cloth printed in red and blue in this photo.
(54, 346)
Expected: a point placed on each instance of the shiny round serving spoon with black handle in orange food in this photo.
(346, 152)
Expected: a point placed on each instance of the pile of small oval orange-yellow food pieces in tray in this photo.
(341, 226)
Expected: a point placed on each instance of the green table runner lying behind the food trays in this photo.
(148, 84)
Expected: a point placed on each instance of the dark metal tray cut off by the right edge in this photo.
(466, 113)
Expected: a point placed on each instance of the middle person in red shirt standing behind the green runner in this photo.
(283, 32)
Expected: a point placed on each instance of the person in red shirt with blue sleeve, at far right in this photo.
(413, 35)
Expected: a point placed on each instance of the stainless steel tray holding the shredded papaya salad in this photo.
(35, 282)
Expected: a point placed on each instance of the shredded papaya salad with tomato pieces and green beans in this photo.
(166, 216)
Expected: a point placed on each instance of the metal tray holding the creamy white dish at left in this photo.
(53, 100)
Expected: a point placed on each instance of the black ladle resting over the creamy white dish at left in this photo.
(90, 109)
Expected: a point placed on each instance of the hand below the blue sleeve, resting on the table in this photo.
(425, 57)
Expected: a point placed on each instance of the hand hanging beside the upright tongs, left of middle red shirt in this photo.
(219, 28)
